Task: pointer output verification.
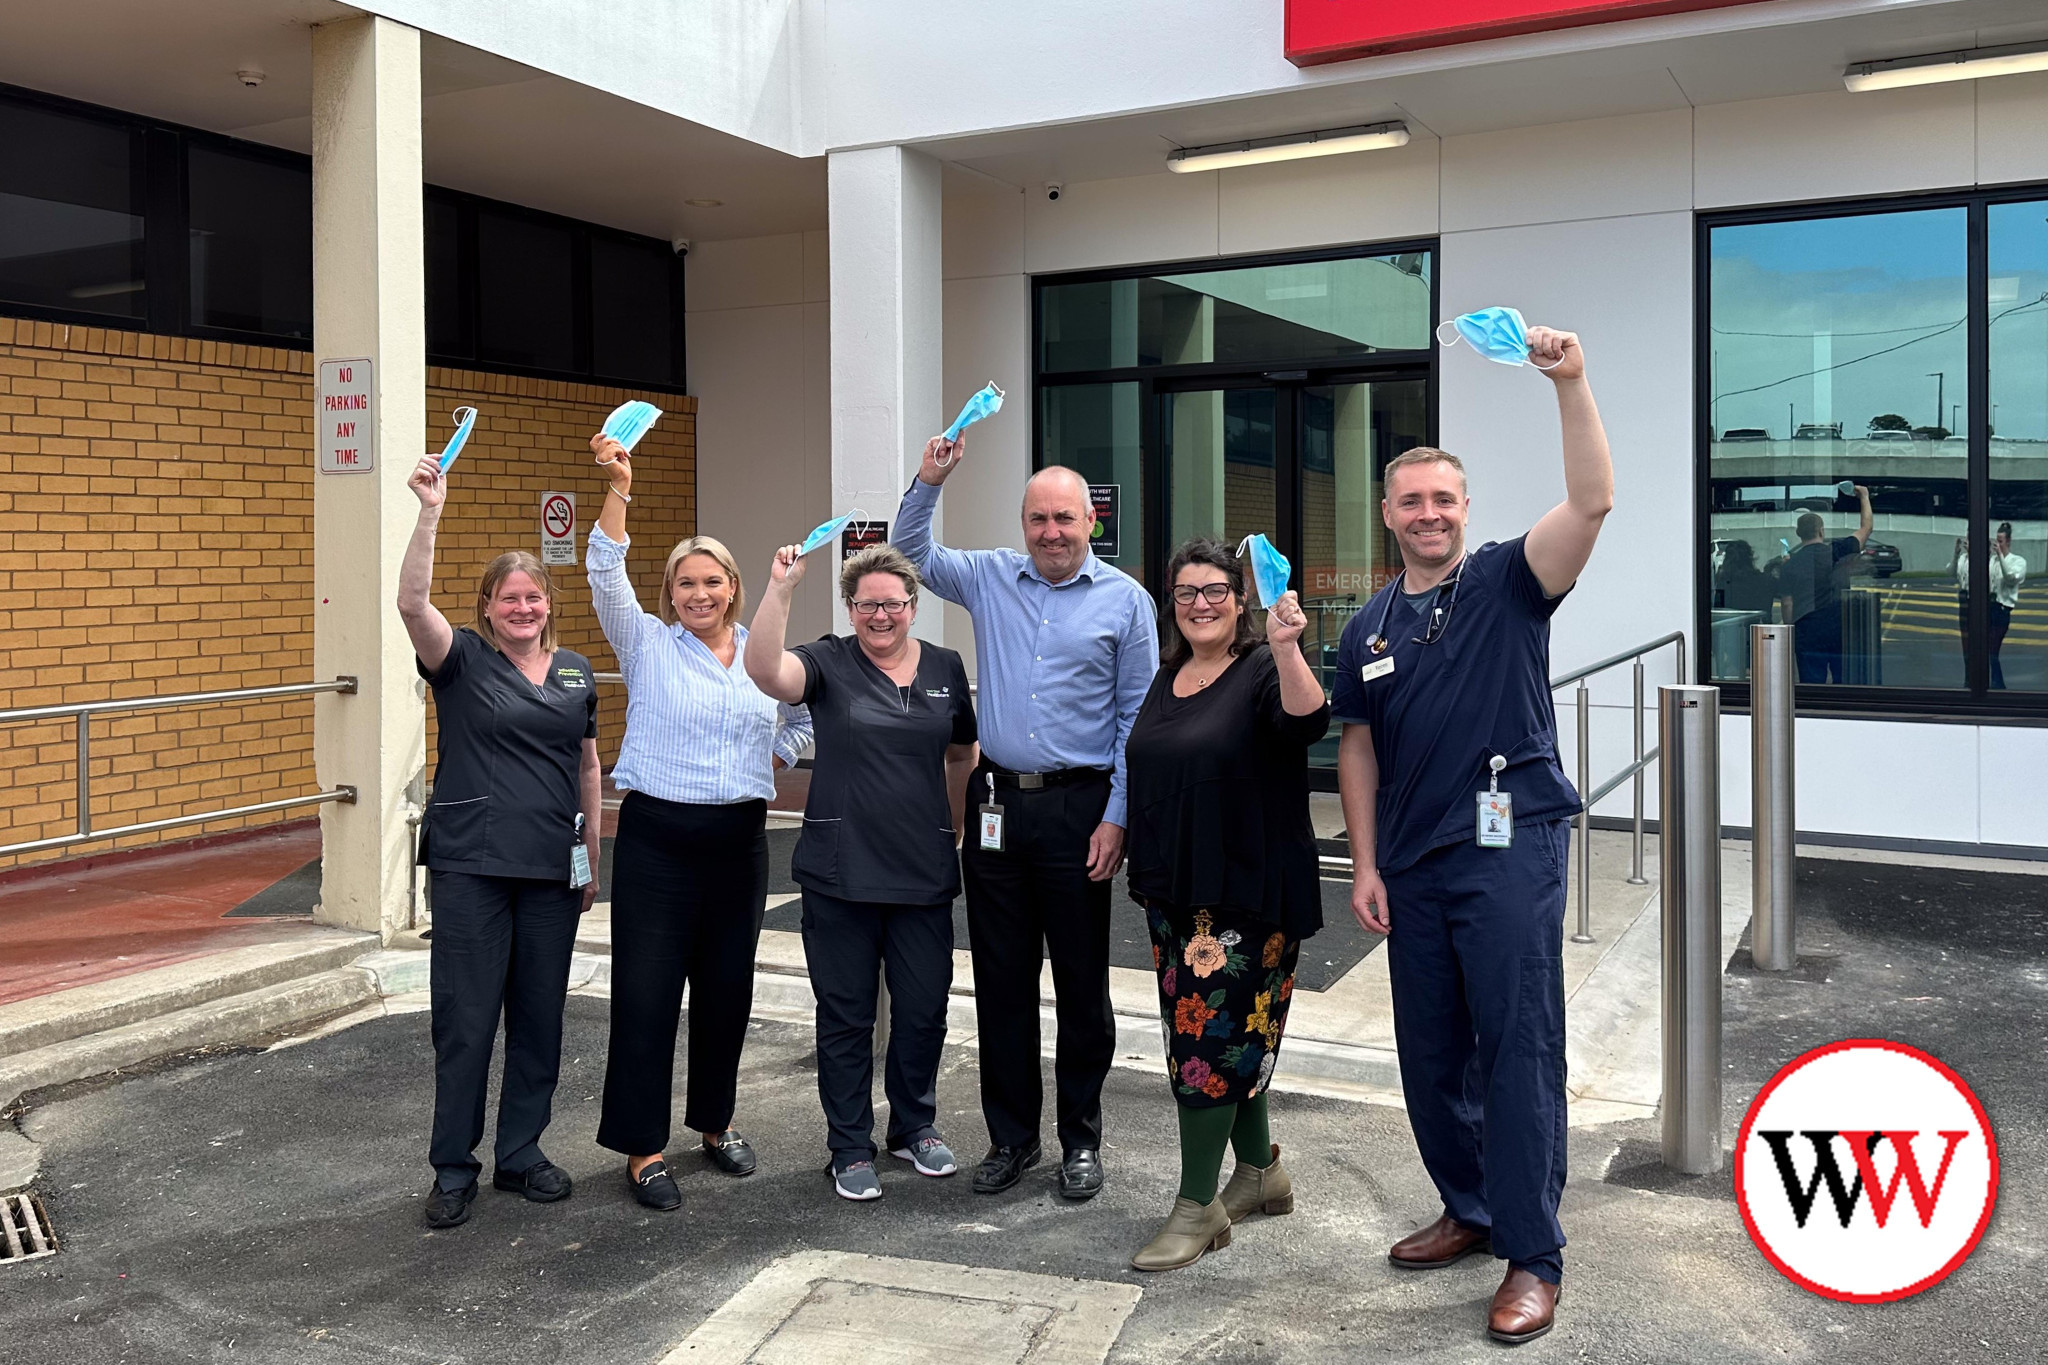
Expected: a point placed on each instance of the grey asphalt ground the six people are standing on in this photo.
(263, 1204)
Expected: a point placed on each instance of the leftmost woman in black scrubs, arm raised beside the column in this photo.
(511, 850)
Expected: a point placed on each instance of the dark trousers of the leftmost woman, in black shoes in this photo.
(501, 946)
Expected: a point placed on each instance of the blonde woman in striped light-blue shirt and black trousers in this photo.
(691, 863)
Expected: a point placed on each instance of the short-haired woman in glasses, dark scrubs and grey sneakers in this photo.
(878, 865)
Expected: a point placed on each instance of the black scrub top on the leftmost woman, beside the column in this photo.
(507, 766)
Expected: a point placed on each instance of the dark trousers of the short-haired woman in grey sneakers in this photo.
(847, 944)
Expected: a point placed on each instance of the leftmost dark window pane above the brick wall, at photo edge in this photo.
(71, 214)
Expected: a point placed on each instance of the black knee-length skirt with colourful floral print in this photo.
(1226, 983)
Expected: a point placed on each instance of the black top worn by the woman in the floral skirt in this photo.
(1220, 799)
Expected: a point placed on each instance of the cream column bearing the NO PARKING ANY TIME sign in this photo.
(370, 302)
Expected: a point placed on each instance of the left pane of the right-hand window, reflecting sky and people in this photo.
(1840, 363)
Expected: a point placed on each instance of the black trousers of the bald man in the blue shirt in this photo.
(1023, 906)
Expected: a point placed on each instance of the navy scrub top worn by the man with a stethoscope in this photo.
(1449, 709)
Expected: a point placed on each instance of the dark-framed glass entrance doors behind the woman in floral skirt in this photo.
(1299, 461)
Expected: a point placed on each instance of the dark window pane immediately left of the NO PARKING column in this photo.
(251, 243)
